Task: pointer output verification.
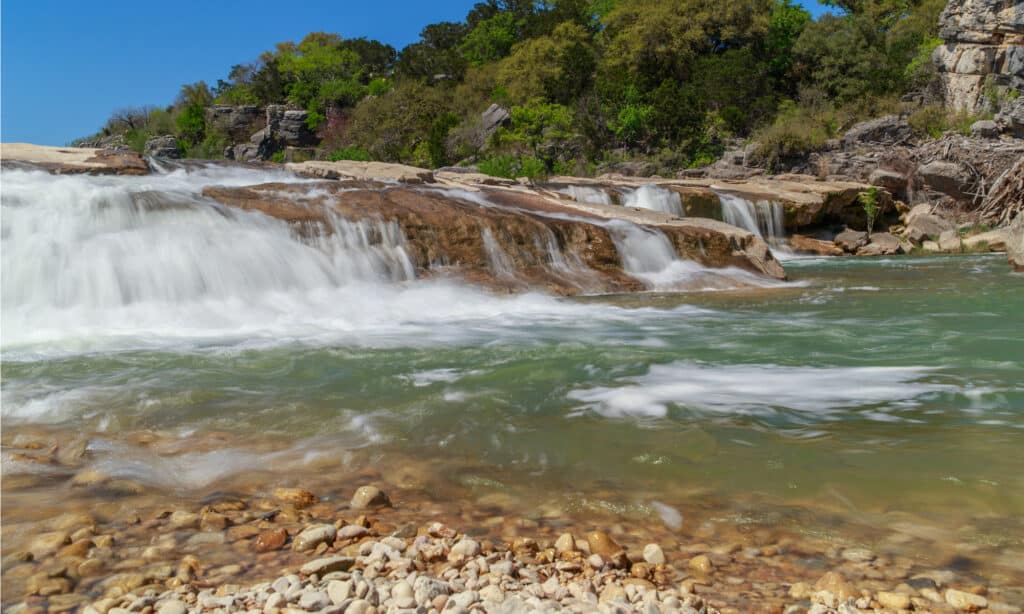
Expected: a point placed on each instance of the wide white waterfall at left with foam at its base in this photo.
(103, 264)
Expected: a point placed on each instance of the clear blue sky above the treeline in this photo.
(68, 64)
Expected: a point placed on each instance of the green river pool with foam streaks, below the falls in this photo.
(870, 386)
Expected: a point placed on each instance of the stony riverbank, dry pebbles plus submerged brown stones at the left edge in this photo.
(359, 541)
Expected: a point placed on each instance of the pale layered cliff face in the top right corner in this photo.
(984, 47)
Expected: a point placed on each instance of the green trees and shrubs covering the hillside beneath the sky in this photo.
(586, 82)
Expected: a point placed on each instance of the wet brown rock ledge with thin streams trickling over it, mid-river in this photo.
(506, 238)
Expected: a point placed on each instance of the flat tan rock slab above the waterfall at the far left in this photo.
(73, 160)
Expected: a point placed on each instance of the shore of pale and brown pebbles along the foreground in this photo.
(352, 558)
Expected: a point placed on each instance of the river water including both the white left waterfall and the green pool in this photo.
(868, 387)
